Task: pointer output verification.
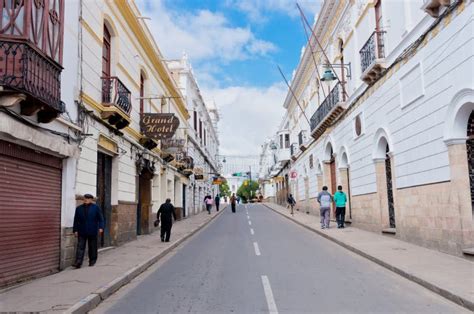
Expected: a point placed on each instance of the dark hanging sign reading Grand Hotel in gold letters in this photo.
(159, 126)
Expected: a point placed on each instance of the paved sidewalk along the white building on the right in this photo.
(450, 276)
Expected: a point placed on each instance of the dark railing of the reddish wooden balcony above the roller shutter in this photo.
(26, 70)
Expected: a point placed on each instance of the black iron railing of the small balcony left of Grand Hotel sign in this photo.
(114, 92)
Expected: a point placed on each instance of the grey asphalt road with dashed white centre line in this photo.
(261, 263)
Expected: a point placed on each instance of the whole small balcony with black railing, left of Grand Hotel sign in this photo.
(117, 102)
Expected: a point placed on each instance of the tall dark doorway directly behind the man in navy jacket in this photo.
(104, 194)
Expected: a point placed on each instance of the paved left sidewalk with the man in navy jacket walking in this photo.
(78, 291)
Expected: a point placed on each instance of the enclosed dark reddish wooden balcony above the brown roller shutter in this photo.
(30, 57)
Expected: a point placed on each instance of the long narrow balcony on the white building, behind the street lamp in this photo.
(331, 108)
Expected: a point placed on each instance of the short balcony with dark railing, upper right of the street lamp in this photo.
(372, 57)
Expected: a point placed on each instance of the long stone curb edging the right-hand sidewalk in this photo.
(468, 304)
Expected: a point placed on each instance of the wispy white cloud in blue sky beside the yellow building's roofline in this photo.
(204, 35)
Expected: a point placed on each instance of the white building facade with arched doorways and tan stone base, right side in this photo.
(384, 107)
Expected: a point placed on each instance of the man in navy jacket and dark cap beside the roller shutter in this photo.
(88, 222)
